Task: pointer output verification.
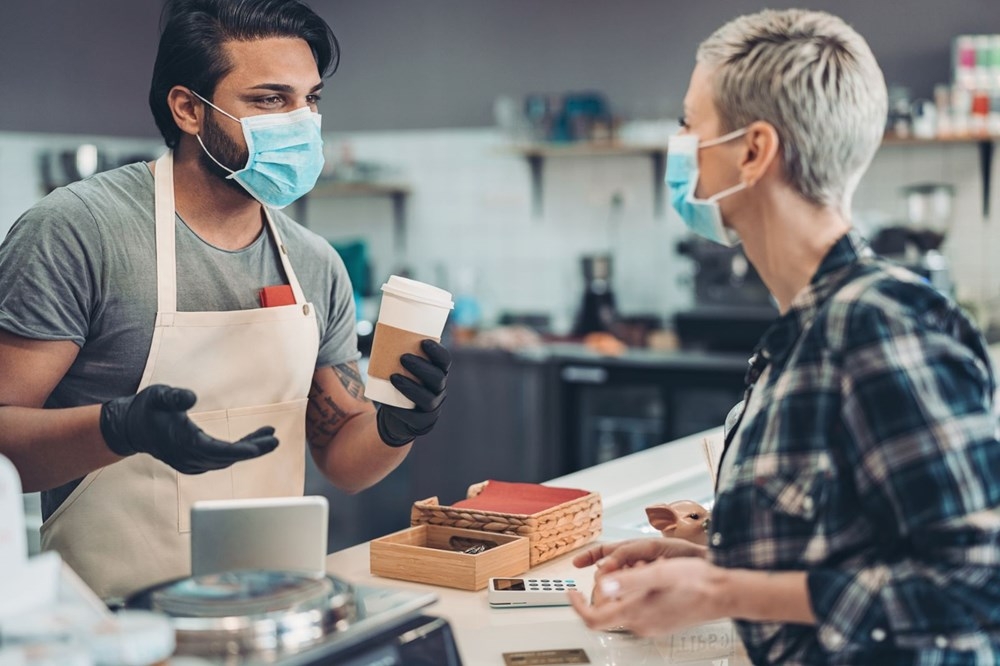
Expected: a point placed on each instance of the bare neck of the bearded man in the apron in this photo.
(221, 215)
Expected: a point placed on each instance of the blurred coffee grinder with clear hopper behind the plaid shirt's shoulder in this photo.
(916, 241)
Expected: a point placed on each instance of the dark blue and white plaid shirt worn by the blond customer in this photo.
(867, 456)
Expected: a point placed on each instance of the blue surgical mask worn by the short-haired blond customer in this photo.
(702, 216)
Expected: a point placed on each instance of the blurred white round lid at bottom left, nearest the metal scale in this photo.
(133, 638)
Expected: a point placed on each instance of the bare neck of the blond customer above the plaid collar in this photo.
(786, 238)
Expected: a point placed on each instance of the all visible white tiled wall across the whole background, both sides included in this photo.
(470, 213)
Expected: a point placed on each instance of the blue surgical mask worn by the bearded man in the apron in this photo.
(286, 155)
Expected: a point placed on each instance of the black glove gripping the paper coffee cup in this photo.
(398, 426)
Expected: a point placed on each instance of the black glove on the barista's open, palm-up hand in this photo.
(155, 421)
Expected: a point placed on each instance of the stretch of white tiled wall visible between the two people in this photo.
(471, 212)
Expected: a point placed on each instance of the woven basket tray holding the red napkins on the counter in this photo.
(550, 533)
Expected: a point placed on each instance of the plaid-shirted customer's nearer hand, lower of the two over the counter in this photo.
(655, 598)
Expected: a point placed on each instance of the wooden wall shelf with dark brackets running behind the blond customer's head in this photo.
(537, 153)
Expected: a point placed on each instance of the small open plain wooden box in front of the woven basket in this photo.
(423, 554)
